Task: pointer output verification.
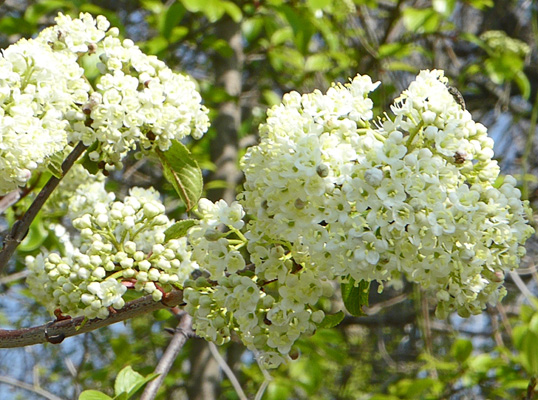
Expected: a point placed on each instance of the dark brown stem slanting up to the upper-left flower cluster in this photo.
(20, 228)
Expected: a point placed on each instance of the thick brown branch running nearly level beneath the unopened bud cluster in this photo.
(56, 331)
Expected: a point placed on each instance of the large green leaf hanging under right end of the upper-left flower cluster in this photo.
(182, 171)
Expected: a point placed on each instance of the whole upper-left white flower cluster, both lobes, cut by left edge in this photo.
(47, 101)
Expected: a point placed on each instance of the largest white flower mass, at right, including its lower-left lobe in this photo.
(333, 194)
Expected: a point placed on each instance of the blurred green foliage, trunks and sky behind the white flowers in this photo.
(245, 55)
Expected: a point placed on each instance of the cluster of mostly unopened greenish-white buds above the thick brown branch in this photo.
(121, 245)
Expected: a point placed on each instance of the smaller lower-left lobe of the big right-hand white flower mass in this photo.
(269, 311)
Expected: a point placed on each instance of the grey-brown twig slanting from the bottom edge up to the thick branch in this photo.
(181, 334)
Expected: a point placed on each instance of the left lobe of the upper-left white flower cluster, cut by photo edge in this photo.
(39, 92)
